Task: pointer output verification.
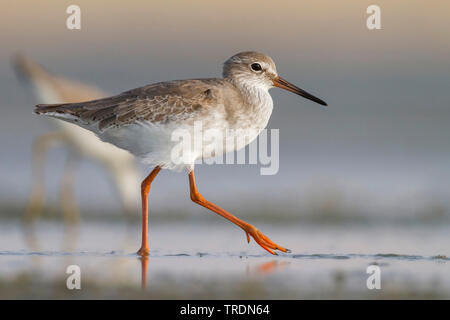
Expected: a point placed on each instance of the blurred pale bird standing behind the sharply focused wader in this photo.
(80, 143)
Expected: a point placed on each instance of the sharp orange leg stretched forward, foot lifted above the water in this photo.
(250, 230)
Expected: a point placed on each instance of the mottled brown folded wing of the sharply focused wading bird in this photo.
(158, 103)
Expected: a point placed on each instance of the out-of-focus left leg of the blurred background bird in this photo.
(40, 147)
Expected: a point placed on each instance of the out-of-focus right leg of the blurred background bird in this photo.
(69, 208)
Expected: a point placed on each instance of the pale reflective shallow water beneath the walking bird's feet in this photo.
(213, 260)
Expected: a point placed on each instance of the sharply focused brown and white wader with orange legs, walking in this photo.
(143, 120)
